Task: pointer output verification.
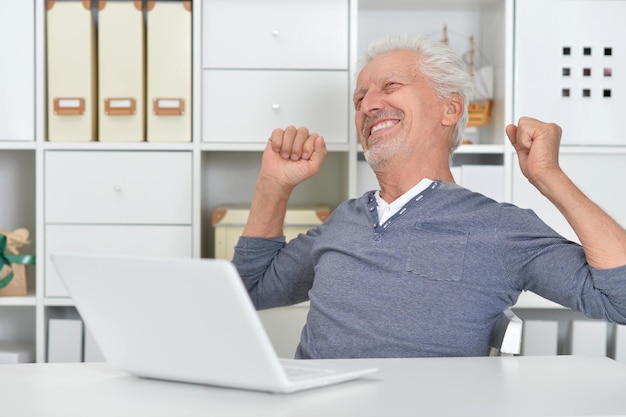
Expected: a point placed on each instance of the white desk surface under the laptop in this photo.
(505, 386)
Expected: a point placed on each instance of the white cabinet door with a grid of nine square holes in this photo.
(570, 67)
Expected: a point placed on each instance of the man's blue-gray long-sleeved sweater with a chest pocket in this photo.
(431, 281)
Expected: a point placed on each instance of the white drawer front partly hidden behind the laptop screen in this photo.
(170, 241)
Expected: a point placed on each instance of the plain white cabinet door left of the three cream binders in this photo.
(17, 71)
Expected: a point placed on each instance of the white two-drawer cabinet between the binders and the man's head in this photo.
(266, 62)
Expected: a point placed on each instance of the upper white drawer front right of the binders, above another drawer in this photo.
(275, 34)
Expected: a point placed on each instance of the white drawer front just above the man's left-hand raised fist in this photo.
(266, 100)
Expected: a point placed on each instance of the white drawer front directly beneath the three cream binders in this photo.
(118, 187)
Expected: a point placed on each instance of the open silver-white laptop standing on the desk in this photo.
(187, 320)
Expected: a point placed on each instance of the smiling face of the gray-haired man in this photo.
(395, 107)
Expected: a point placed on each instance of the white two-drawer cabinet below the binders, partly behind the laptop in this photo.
(116, 202)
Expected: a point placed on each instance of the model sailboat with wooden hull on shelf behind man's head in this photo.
(479, 108)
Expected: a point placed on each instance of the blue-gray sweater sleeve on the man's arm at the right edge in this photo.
(540, 260)
